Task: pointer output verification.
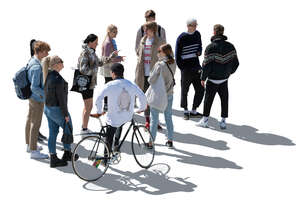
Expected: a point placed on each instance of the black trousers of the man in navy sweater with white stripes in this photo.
(189, 77)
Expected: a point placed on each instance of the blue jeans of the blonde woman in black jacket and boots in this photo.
(56, 120)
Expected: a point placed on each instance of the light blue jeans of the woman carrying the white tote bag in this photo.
(168, 118)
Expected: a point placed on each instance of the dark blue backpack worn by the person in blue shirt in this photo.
(22, 83)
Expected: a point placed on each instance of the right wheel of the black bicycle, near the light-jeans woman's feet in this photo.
(142, 155)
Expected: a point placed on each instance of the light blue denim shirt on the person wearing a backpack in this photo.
(35, 76)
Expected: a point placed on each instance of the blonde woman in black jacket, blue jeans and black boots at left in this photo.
(56, 109)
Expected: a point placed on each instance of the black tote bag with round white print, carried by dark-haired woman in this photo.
(81, 82)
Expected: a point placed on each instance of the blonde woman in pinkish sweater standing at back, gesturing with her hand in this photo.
(108, 47)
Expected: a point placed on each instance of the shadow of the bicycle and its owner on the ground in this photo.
(153, 181)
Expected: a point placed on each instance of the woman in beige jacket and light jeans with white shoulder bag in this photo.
(166, 67)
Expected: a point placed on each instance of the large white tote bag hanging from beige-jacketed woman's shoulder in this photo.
(157, 95)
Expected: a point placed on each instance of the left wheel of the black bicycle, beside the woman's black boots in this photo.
(93, 157)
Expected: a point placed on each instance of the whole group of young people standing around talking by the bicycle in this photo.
(118, 98)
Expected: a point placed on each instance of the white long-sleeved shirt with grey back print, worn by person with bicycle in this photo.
(119, 112)
